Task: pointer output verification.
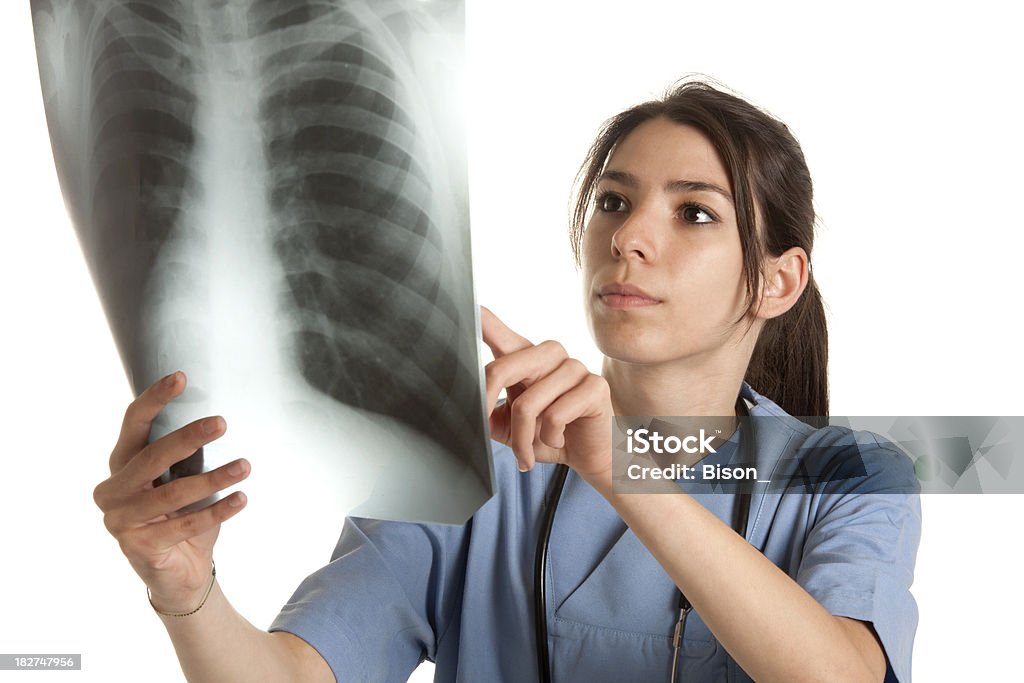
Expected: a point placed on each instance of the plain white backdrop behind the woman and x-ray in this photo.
(910, 118)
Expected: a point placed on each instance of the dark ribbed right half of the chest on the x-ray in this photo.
(378, 326)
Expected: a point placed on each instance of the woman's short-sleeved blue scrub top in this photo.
(398, 593)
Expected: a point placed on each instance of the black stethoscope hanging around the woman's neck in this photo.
(541, 561)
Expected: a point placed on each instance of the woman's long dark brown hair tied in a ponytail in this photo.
(771, 181)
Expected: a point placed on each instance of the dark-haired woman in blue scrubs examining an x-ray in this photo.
(697, 272)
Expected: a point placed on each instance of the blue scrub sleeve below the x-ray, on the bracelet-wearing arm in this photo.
(373, 612)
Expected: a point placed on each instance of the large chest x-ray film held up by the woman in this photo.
(272, 196)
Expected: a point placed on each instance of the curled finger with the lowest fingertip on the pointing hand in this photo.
(527, 411)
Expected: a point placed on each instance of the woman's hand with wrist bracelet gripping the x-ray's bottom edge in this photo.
(170, 550)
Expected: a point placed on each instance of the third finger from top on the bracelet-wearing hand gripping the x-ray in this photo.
(165, 500)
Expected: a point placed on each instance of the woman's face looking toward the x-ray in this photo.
(663, 266)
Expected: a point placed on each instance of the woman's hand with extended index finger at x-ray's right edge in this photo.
(557, 411)
